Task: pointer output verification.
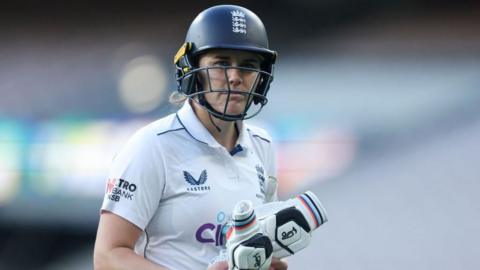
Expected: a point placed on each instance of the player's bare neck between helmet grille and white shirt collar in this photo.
(226, 136)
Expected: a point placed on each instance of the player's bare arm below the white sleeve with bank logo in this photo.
(114, 245)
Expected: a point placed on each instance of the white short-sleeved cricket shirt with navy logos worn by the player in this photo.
(179, 185)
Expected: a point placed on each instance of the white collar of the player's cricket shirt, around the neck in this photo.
(189, 120)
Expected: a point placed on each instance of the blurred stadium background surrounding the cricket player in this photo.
(375, 107)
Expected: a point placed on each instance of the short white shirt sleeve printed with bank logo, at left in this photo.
(136, 181)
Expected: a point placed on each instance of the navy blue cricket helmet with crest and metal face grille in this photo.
(225, 27)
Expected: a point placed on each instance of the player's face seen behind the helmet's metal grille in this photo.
(226, 81)
